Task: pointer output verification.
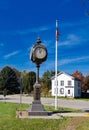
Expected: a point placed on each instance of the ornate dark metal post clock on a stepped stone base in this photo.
(38, 55)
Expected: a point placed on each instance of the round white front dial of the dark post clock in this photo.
(40, 53)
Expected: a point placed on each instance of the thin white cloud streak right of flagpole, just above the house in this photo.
(78, 59)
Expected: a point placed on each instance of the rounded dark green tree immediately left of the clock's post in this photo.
(29, 80)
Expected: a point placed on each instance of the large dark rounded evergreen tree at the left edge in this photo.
(8, 79)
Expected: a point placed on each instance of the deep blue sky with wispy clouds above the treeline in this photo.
(22, 21)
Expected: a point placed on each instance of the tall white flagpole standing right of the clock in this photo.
(56, 63)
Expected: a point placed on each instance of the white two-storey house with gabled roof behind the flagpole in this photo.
(67, 86)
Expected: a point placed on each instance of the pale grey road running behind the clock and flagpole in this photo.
(76, 104)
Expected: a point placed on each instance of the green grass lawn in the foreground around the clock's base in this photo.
(8, 120)
